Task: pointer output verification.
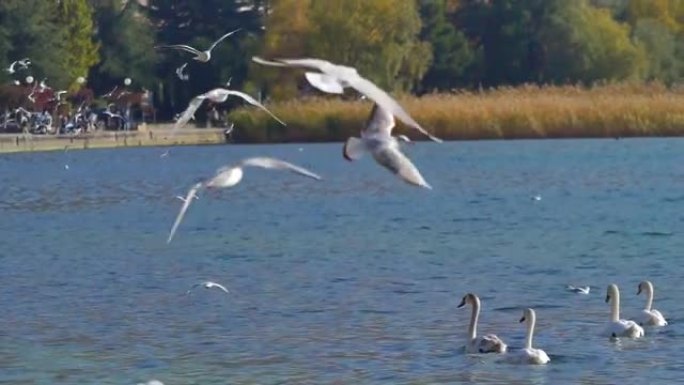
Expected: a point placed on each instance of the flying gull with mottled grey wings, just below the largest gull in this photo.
(377, 139)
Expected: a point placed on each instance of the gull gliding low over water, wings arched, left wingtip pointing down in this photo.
(229, 176)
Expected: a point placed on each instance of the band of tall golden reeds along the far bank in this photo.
(619, 110)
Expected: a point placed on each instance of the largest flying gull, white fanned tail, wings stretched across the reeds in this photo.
(334, 78)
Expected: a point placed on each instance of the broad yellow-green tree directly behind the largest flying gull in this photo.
(380, 38)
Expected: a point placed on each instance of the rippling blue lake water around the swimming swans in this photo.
(351, 280)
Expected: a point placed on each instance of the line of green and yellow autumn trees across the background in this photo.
(418, 46)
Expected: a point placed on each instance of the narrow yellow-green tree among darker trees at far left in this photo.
(79, 52)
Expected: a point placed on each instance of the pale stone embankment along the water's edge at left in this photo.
(146, 136)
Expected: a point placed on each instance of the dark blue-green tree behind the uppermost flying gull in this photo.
(198, 24)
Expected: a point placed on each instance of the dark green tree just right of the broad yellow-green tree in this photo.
(453, 58)
